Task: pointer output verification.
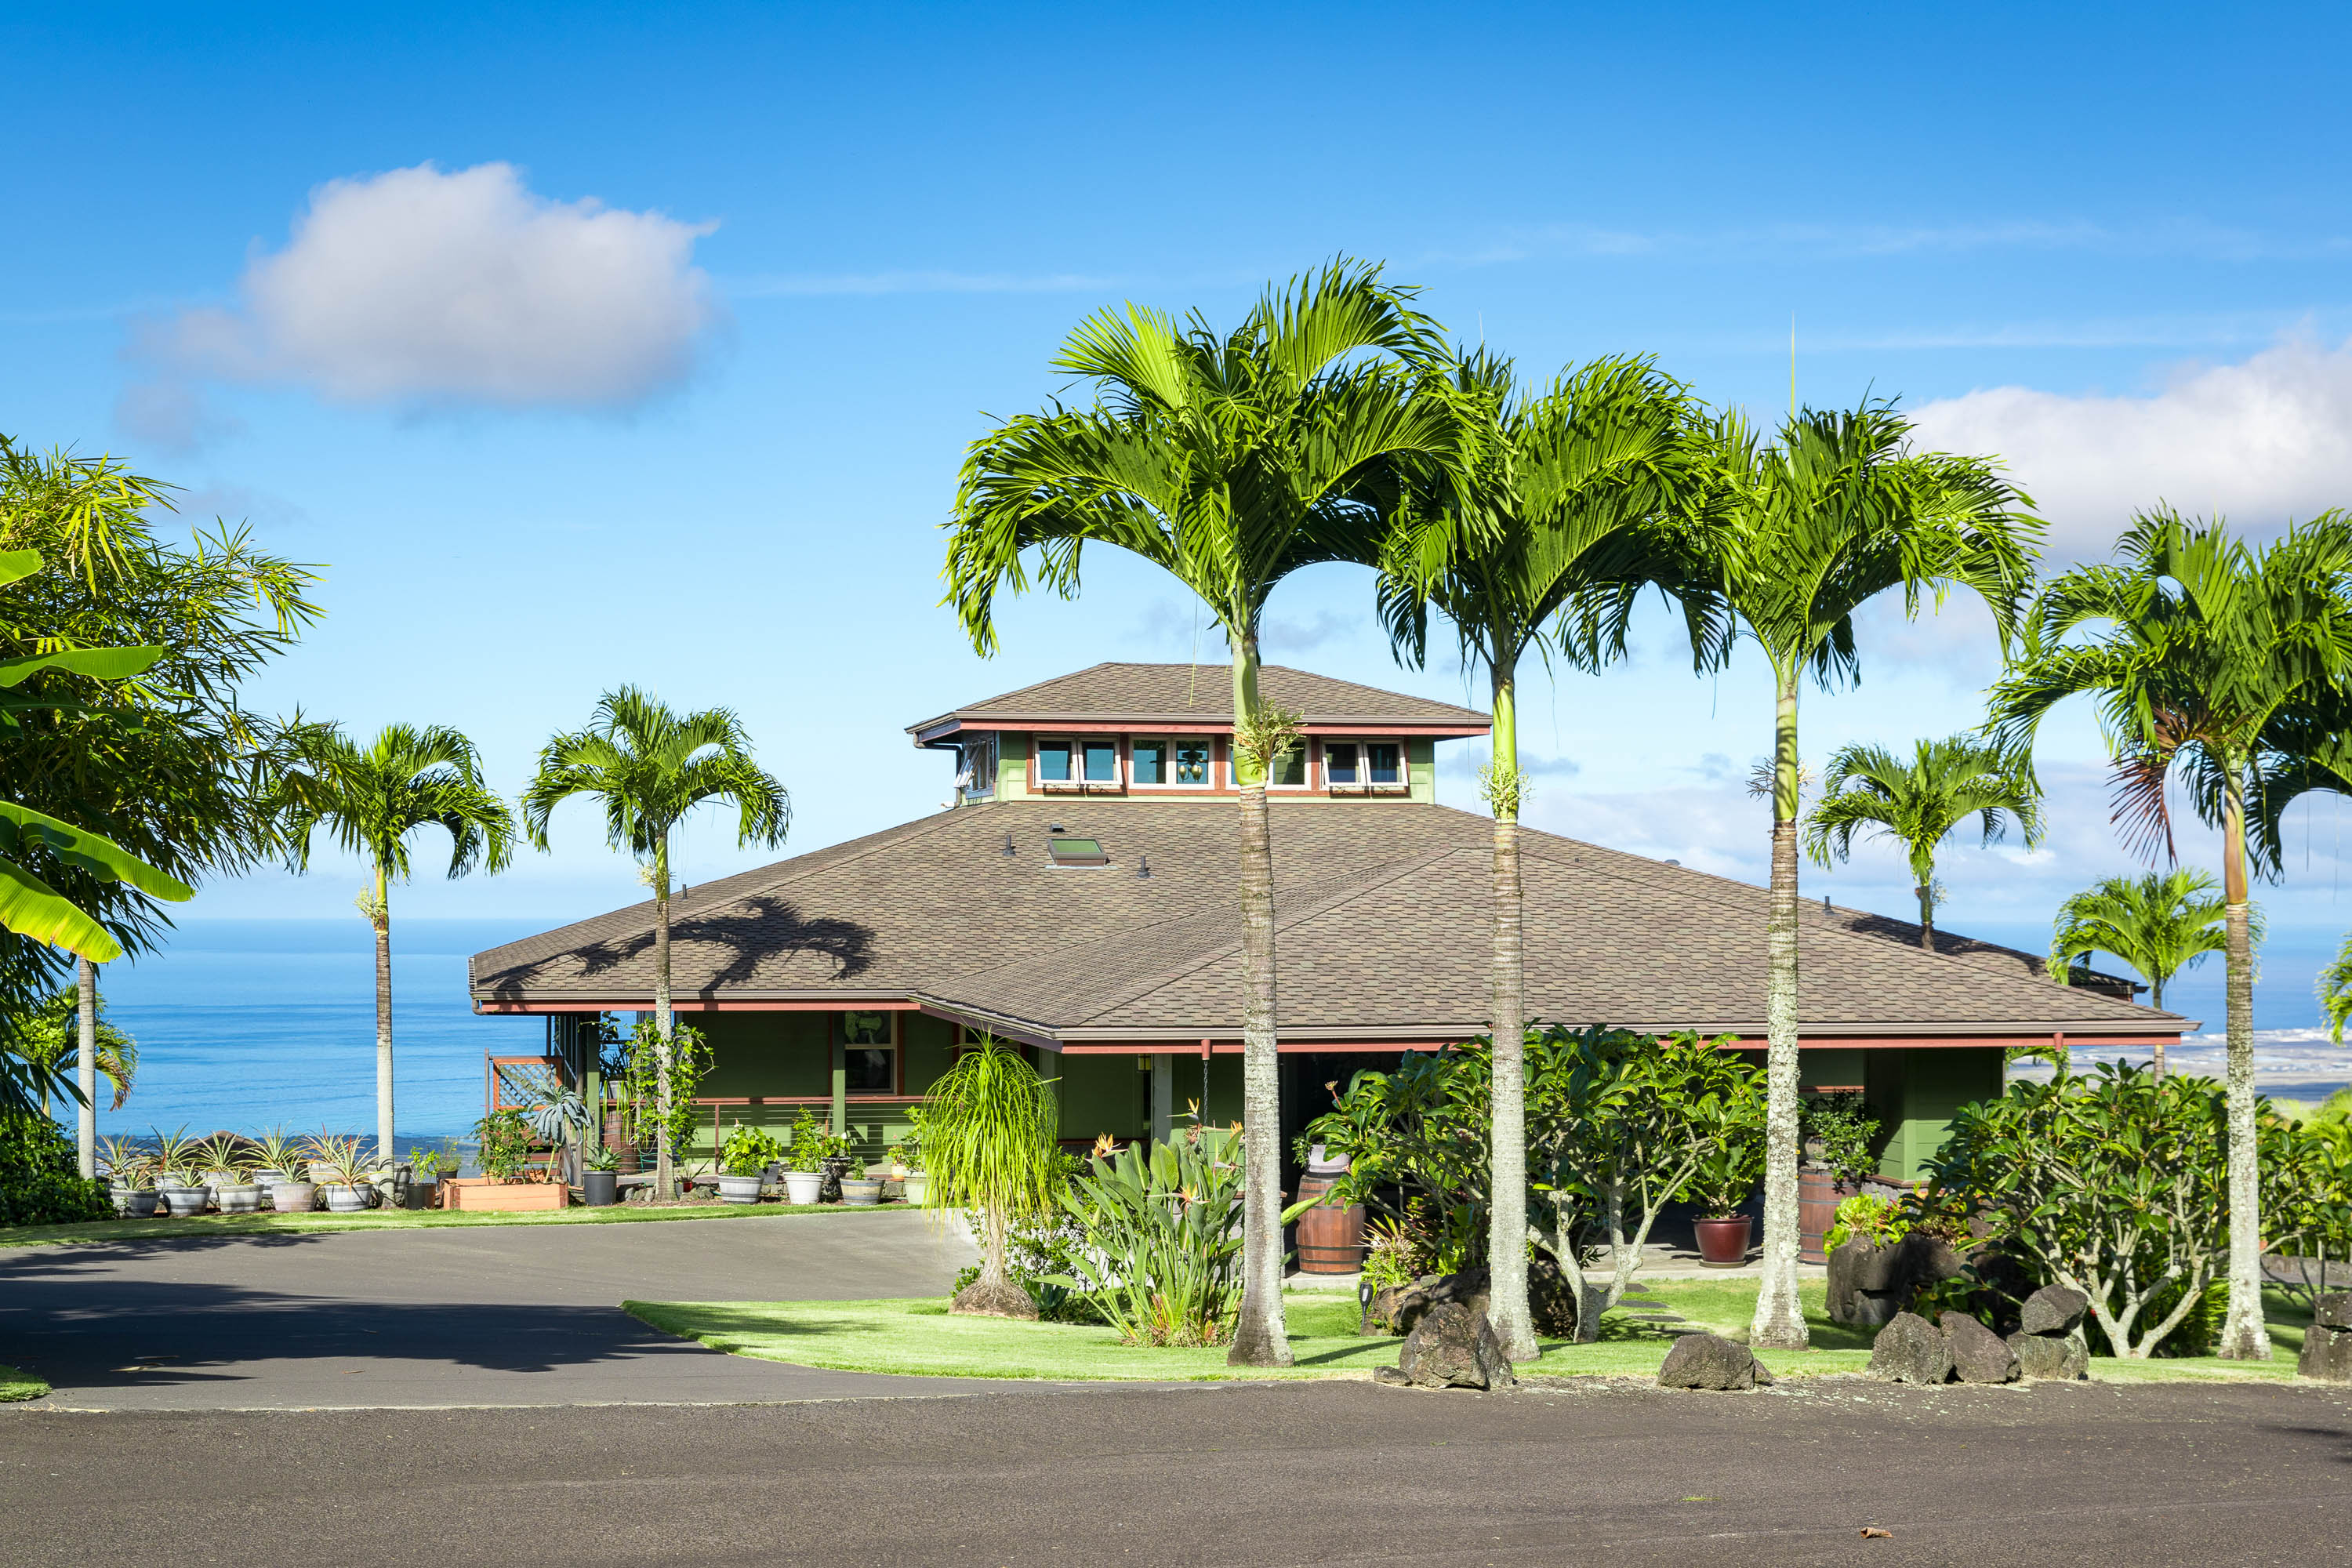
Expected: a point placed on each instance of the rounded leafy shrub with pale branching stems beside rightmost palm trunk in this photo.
(2111, 1184)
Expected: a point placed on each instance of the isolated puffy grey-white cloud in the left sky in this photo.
(429, 290)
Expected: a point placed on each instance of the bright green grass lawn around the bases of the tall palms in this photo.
(923, 1339)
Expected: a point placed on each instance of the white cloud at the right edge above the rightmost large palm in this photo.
(2261, 443)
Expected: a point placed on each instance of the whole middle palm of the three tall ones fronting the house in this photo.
(1563, 511)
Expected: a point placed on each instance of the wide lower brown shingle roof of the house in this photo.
(1384, 937)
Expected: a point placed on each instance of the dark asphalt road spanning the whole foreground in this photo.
(1335, 1473)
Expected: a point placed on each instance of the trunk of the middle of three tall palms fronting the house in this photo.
(1506, 1212)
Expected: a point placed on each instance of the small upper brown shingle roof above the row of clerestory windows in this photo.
(1198, 695)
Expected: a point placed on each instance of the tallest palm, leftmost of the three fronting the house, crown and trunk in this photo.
(1229, 462)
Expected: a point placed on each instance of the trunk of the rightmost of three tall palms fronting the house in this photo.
(1779, 1320)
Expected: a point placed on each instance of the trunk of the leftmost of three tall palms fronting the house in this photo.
(1259, 1336)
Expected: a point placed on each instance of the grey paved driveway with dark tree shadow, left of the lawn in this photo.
(443, 1318)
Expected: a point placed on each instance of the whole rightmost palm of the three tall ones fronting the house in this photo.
(1805, 532)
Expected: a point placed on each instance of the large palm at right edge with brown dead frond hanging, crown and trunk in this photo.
(2212, 648)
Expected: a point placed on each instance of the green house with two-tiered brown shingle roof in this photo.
(1081, 899)
